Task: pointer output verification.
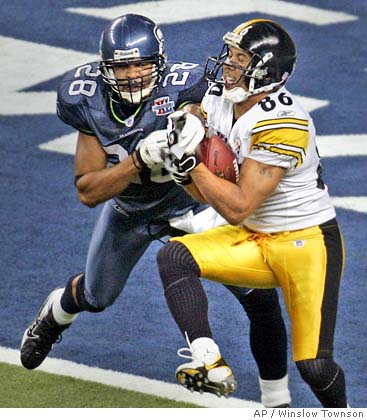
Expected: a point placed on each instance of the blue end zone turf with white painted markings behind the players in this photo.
(45, 230)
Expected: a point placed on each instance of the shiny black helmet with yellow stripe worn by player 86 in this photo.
(273, 55)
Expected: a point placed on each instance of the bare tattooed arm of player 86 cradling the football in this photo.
(235, 202)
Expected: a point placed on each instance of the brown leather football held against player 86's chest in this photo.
(218, 157)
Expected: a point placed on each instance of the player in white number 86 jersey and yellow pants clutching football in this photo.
(282, 230)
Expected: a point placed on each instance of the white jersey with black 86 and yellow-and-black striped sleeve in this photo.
(276, 131)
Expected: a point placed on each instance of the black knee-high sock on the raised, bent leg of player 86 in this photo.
(183, 290)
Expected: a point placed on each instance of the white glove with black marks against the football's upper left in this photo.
(184, 131)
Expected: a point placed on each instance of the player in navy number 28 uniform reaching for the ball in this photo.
(119, 107)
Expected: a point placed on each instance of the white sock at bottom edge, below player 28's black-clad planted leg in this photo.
(275, 392)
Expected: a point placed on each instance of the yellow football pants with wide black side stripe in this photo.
(307, 264)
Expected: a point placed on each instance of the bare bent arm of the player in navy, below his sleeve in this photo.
(96, 183)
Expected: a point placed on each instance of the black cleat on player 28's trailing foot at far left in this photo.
(41, 335)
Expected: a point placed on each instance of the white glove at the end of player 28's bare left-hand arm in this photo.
(152, 149)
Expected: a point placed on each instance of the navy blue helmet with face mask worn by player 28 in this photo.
(132, 39)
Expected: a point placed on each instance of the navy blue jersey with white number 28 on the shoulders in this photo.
(84, 103)
